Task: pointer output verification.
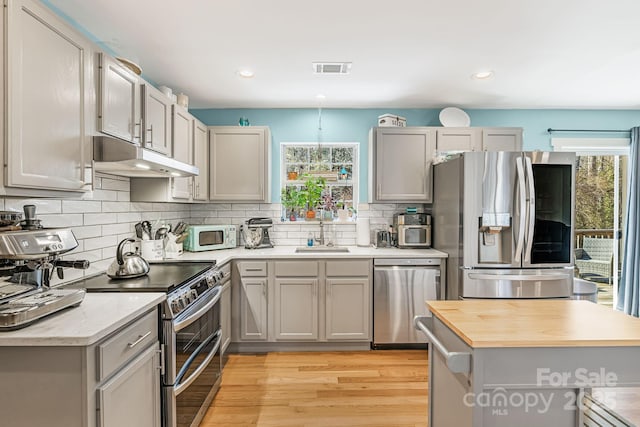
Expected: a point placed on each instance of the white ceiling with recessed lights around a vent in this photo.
(405, 53)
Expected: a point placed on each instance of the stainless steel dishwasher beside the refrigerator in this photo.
(400, 289)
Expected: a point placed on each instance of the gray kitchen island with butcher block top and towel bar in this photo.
(525, 362)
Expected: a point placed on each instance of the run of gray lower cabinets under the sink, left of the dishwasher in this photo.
(302, 301)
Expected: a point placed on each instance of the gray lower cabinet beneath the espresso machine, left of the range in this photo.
(114, 382)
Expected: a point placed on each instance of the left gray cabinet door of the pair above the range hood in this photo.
(119, 106)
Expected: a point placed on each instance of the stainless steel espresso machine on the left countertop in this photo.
(27, 260)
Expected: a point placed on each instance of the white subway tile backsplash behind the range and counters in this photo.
(105, 217)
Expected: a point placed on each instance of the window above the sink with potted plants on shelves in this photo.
(319, 181)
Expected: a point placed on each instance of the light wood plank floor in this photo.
(376, 388)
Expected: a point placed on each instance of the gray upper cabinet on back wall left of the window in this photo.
(239, 164)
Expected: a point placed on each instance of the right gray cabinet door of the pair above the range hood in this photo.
(156, 116)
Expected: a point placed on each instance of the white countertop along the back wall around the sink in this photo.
(280, 252)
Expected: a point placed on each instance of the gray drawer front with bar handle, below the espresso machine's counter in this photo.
(126, 344)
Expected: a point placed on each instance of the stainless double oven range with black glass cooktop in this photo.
(191, 333)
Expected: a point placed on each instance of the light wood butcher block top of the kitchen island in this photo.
(537, 323)
